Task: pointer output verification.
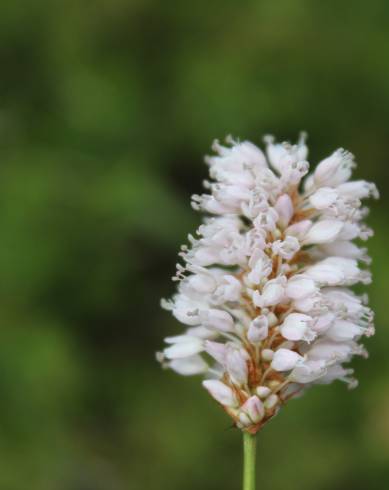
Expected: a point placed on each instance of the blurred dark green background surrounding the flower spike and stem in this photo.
(106, 110)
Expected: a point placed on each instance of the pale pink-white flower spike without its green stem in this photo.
(264, 289)
